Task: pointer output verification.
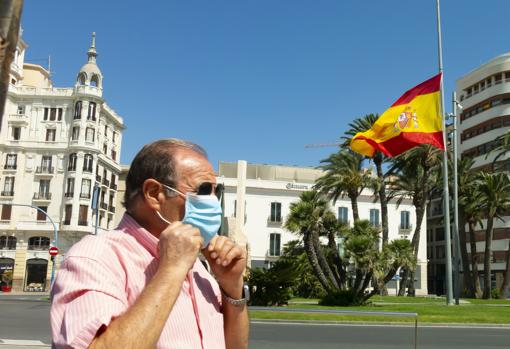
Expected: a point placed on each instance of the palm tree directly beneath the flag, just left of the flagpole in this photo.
(415, 174)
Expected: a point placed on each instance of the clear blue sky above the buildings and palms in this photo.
(258, 80)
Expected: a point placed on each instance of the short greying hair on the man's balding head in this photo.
(155, 160)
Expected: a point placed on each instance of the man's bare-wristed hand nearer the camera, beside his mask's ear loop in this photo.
(179, 245)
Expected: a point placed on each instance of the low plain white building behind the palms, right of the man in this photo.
(268, 192)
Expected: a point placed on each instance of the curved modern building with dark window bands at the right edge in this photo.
(485, 97)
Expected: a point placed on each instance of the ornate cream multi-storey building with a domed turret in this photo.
(56, 144)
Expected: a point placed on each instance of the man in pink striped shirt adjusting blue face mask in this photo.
(142, 285)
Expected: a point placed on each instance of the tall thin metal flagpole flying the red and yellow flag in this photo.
(446, 195)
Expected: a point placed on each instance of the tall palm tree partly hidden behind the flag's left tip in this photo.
(361, 125)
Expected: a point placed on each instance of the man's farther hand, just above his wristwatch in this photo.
(228, 262)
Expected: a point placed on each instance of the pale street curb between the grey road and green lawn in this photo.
(382, 323)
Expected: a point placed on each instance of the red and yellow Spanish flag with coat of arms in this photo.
(414, 119)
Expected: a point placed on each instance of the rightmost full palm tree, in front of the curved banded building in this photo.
(494, 191)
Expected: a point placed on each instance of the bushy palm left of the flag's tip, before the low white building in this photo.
(344, 176)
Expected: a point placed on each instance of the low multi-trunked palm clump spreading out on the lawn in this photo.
(351, 274)
